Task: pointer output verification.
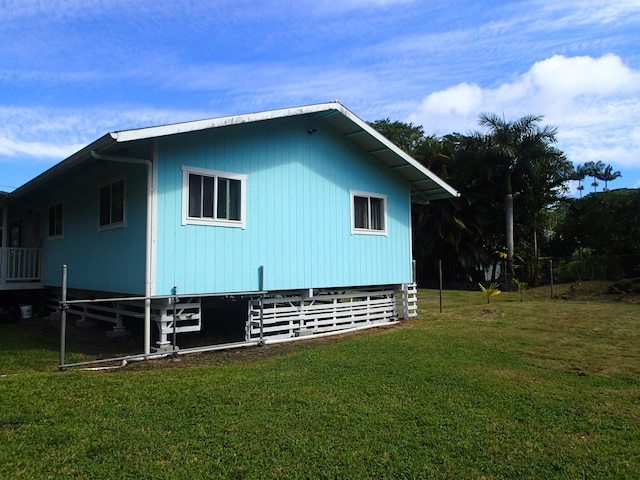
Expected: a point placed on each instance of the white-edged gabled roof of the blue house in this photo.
(425, 185)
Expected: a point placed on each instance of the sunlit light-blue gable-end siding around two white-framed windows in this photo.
(298, 213)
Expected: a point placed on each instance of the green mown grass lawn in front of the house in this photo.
(540, 389)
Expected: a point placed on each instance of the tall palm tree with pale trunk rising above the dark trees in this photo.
(509, 141)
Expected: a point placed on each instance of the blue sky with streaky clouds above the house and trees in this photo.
(73, 70)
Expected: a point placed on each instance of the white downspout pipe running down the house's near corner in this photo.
(149, 240)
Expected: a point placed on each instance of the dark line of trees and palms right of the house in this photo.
(513, 208)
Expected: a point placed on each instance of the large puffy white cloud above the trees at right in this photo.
(593, 101)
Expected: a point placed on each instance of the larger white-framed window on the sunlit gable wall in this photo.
(213, 198)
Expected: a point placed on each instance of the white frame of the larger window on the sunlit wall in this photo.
(216, 174)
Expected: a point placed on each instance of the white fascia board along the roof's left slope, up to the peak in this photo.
(185, 127)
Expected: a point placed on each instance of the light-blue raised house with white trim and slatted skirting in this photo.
(307, 204)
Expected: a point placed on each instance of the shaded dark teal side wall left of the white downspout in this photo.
(111, 260)
